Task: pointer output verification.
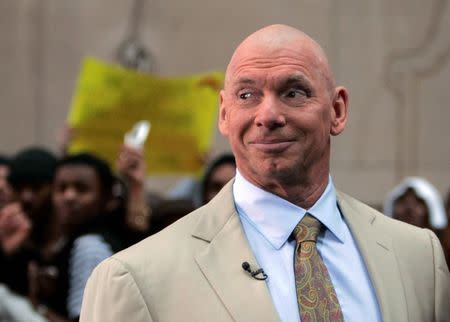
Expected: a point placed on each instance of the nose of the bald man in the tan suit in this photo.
(270, 113)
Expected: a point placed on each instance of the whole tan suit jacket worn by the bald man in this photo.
(192, 271)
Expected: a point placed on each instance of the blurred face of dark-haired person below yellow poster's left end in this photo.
(77, 195)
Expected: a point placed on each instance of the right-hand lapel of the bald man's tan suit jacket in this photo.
(379, 256)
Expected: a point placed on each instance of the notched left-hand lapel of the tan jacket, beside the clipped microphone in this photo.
(221, 260)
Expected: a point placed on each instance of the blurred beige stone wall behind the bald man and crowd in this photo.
(393, 56)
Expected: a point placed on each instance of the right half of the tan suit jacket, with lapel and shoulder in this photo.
(406, 264)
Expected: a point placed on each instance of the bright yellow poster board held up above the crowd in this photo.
(109, 100)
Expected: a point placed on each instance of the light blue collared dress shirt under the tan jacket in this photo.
(269, 220)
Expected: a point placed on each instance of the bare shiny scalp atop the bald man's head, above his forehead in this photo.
(275, 41)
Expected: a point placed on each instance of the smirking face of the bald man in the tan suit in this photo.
(277, 112)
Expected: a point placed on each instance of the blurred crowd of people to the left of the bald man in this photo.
(61, 216)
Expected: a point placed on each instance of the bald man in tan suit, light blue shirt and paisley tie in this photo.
(279, 242)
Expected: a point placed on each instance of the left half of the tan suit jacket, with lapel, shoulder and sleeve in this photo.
(190, 271)
